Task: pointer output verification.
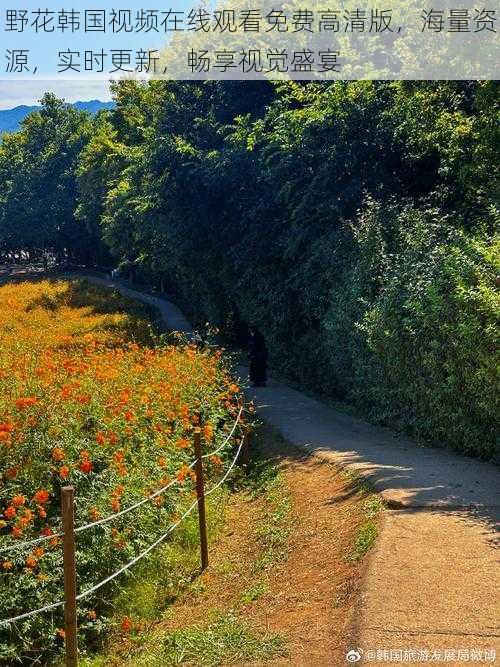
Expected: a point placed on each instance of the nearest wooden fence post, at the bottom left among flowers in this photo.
(67, 500)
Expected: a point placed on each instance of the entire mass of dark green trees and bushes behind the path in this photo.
(352, 222)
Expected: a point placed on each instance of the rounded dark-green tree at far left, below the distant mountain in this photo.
(38, 184)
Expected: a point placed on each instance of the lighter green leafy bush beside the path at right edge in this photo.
(413, 325)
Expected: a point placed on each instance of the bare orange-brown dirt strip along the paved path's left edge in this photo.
(312, 594)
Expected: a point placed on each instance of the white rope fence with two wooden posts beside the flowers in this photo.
(69, 551)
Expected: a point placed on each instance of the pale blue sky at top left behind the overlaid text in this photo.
(44, 50)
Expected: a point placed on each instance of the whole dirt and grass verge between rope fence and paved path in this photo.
(282, 581)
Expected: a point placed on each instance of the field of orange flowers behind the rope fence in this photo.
(89, 396)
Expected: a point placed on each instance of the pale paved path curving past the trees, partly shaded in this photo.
(433, 580)
